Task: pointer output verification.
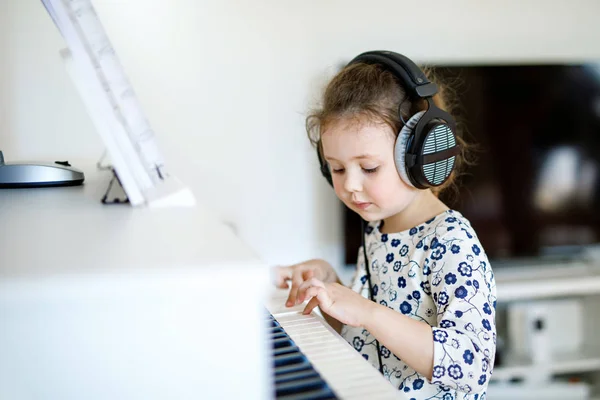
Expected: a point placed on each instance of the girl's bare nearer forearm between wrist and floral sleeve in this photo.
(409, 339)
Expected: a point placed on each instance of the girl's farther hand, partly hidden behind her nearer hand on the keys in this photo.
(301, 272)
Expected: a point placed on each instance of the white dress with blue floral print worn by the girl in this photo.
(436, 273)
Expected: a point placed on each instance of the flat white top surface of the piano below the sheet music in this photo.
(68, 230)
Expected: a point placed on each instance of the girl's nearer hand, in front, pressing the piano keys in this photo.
(335, 300)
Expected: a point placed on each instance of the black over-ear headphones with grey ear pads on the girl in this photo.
(426, 148)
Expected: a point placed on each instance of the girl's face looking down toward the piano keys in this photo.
(360, 154)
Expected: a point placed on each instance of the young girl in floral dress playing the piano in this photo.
(430, 326)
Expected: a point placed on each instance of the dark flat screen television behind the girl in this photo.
(535, 188)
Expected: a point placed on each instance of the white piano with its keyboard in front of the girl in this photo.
(112, 302)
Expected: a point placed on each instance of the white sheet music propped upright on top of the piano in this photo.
(114, 108)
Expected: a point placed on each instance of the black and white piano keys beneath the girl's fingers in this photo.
(312, 361)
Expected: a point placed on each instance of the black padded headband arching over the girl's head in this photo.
(403, 68)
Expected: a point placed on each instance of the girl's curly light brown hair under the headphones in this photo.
(372, 92)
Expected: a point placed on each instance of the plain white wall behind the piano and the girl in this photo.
(226, 85)
